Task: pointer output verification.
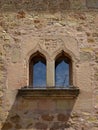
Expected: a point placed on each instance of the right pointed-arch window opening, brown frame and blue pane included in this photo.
(63, 70)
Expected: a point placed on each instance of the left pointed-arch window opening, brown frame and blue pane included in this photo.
(37, 71)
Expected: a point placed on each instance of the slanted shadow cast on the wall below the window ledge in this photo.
(39, 114)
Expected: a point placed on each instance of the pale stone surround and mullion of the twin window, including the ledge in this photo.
(51, 91)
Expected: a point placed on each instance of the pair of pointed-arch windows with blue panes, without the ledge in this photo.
(38, 70)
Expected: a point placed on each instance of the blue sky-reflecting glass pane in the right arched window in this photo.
(62, 74)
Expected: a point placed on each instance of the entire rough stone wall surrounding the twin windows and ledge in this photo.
(48, 26)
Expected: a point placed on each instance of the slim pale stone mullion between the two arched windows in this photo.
(50, 73)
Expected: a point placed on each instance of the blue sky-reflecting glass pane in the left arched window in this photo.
(39, 74)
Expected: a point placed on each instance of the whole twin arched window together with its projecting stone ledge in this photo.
(59, 77)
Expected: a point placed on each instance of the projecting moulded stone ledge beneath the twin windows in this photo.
(50, 92)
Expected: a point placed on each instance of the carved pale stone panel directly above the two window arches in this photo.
(50, 46)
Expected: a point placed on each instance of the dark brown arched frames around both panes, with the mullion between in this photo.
(50, 69)
